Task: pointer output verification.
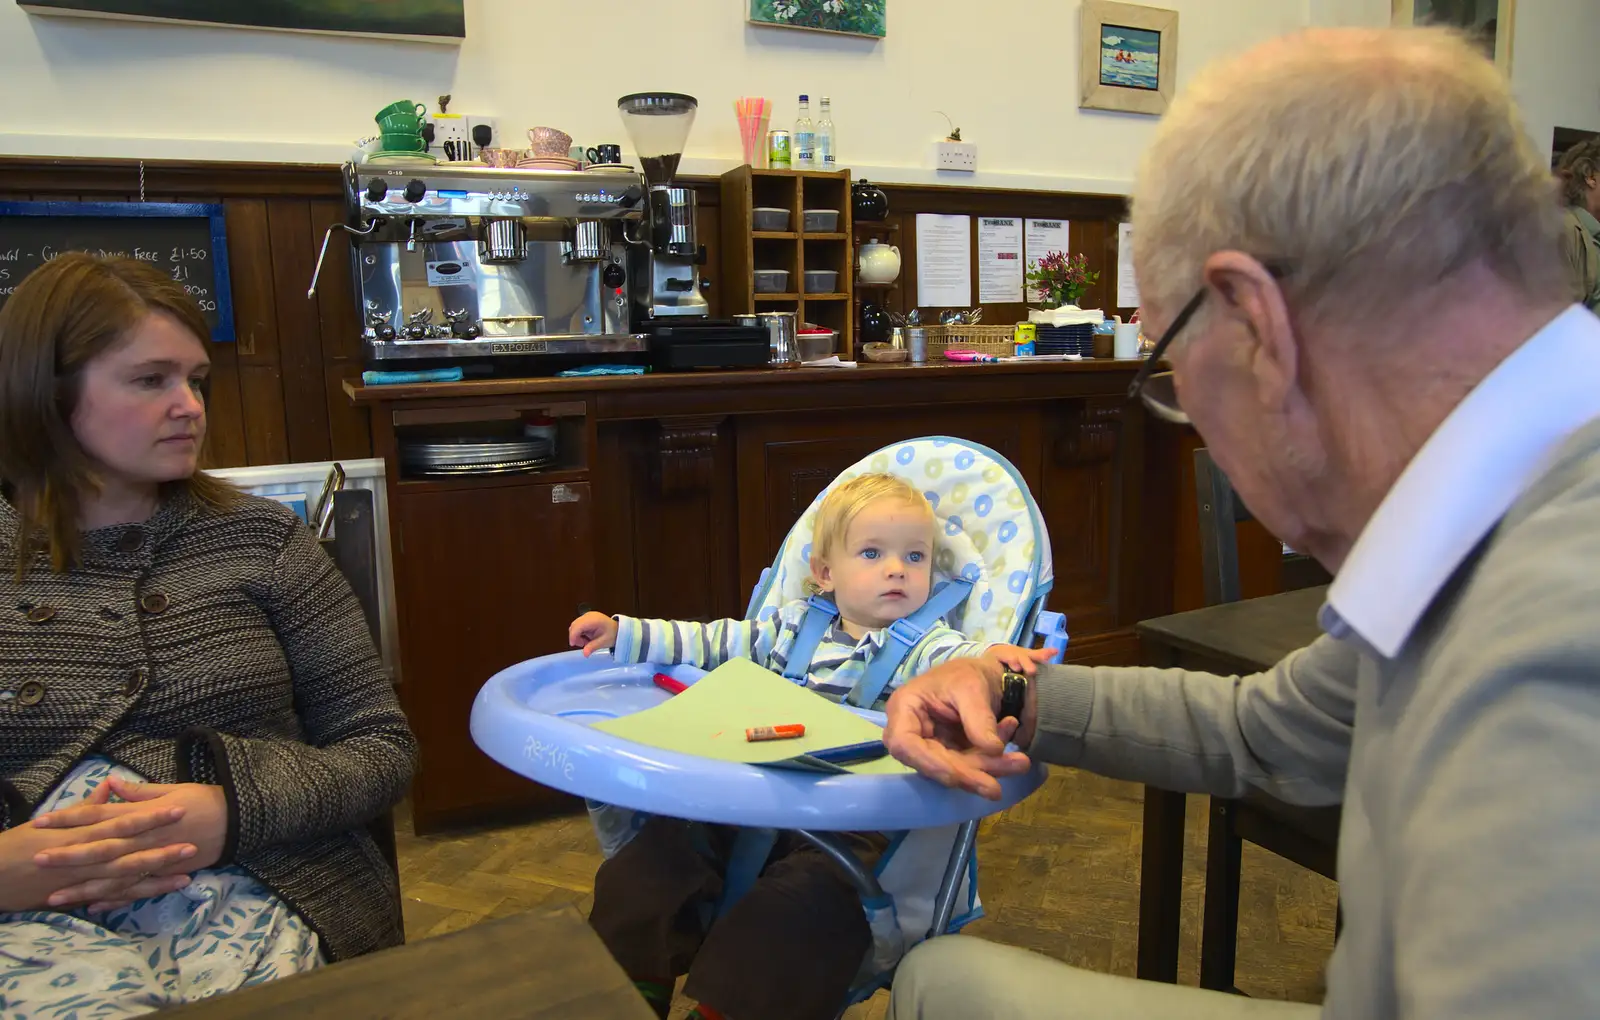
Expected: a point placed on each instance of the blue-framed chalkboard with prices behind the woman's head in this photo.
(186, 242)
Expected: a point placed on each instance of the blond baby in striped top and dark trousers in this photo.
(873, 552)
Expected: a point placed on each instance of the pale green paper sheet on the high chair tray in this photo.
(711, 717)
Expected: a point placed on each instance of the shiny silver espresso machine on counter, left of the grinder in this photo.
(486, 263)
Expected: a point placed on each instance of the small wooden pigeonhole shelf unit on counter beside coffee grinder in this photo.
(746, 250)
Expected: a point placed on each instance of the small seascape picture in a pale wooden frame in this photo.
(1129, 57)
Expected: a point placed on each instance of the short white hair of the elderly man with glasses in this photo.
(1370, 164)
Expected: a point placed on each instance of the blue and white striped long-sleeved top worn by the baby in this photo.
(836, 667)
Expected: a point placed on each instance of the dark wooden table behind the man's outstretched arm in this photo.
(1242, 637)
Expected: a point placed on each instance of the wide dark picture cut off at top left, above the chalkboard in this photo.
(433, 22)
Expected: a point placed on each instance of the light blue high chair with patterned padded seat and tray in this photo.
(993, 572)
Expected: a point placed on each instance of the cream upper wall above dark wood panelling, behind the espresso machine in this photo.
(1006, 71)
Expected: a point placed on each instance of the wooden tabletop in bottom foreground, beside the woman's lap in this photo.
(538, 965)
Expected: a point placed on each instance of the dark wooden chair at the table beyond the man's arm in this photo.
(1308, 837)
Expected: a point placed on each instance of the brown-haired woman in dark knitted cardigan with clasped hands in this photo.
(194, 725)
